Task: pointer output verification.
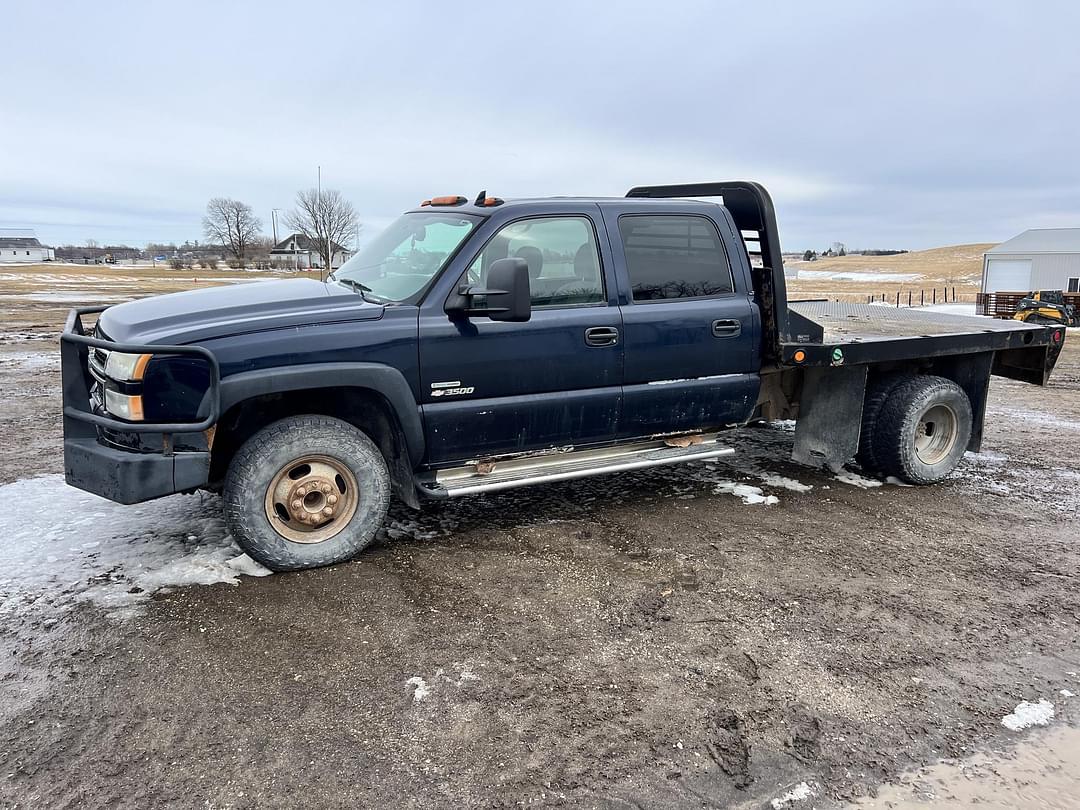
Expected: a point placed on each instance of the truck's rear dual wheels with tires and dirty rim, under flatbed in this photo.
(923, 429)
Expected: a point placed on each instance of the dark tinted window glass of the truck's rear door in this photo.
(674, 256)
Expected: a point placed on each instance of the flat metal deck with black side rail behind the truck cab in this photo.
(830, 333)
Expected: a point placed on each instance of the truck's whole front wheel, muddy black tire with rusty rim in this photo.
(306, 492)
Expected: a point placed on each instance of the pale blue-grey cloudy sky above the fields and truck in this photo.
(904, 125)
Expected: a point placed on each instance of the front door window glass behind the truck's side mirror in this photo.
(561, 252)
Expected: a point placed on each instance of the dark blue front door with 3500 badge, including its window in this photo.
(491, 388)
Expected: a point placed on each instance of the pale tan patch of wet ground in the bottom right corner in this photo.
(1043, 772)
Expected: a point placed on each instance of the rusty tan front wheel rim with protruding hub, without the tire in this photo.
(312, 499)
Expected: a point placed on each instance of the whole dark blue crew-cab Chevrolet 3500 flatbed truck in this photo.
(481, 345)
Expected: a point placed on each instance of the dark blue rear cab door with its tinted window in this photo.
(692, 331)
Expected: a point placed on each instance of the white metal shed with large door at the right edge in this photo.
(1042, 259)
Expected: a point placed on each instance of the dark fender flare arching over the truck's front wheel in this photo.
(382, 380)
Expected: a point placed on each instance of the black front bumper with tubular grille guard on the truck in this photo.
(121, 476)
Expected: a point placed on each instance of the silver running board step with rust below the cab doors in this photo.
(491, 477)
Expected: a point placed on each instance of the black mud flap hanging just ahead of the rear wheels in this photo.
(831, 416)
